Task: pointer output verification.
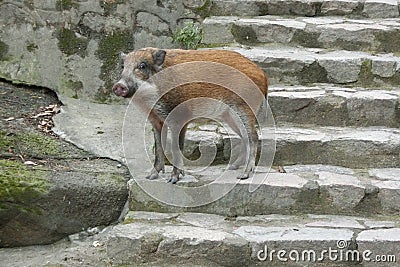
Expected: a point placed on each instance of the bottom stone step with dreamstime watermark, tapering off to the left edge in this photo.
(251, 242)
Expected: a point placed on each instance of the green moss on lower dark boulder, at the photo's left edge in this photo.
(20, 186)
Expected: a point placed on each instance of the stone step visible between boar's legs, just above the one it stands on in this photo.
(353, 147)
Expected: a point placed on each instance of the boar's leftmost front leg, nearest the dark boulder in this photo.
(160, 137)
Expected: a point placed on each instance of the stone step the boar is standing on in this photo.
(319, 189)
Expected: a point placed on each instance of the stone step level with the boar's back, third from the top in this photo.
(290, 65)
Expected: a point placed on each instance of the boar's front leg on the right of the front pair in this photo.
(177, 149)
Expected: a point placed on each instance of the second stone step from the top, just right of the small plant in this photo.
(379, 35)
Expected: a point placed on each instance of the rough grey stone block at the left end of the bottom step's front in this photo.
(134, 242)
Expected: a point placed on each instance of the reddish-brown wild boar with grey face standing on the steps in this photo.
(141, 65)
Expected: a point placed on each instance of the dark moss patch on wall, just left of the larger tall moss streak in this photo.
(70, 44)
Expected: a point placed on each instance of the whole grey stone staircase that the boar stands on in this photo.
(334, 70)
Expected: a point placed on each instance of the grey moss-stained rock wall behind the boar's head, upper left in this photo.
(72, 46)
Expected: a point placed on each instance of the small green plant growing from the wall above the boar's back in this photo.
(189, 37)
